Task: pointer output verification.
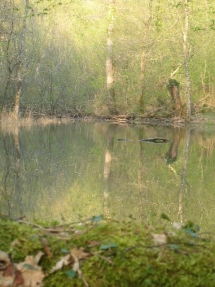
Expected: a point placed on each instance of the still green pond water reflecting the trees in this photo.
(78, 170)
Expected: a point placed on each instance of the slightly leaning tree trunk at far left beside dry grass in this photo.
(20, 63)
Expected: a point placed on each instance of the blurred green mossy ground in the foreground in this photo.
(119, 253)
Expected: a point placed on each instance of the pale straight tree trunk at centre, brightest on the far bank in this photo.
(109, 59)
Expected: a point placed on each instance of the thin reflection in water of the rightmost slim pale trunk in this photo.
(183, 177)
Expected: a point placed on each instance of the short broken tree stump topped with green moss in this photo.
(173, 88)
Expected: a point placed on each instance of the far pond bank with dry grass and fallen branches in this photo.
(7, 119)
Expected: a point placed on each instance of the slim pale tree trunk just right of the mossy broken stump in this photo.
(186, 58)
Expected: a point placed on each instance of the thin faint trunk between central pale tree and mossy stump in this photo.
(143, 57)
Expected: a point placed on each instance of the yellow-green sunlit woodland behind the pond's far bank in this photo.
(84, 56)
